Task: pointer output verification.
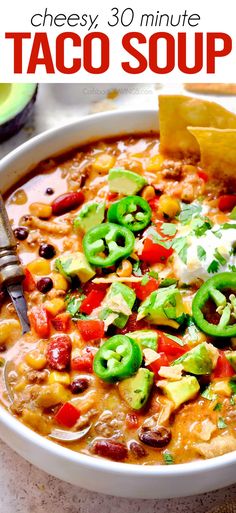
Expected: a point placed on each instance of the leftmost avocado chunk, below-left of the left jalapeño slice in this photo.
(74, 264)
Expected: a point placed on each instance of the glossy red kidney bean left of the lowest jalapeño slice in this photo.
(58, 352)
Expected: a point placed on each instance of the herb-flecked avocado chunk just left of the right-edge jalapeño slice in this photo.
(163, 306)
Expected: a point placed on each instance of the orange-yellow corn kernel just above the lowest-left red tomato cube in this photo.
(50, 395)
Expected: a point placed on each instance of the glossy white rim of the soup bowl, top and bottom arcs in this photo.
(26, 434)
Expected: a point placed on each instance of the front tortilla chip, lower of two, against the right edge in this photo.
(218, 151)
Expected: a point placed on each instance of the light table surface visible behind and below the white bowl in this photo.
(24, 488)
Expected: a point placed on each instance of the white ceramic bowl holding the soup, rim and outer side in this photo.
(99, 474)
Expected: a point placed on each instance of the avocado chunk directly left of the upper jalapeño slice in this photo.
(90, 215)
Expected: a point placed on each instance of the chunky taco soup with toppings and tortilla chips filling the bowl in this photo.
(129, 252)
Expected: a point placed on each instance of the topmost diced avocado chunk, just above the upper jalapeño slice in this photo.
(125, 182)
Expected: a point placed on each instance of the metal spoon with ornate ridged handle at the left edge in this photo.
(11, 272)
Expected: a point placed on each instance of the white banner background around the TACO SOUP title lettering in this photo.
(215, 17)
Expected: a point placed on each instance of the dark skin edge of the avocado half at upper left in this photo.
(13, 125)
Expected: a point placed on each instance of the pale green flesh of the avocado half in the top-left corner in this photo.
(16, 103)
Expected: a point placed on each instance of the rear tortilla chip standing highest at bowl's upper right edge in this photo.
(177, 112)
